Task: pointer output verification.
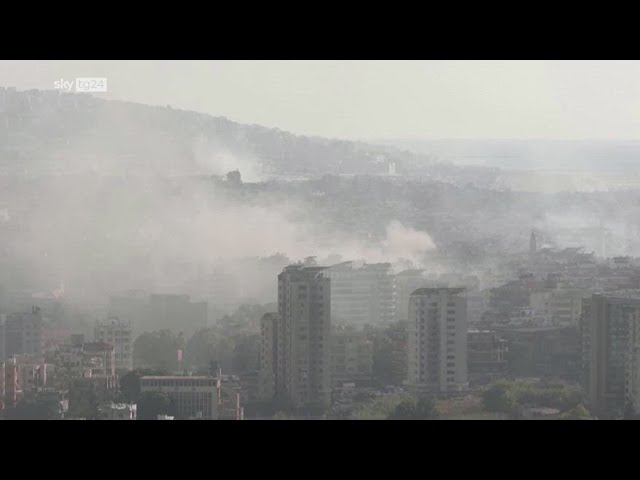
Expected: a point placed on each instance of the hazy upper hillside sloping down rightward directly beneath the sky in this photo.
(53, 132)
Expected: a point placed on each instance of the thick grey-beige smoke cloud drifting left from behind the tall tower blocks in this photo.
(100, 233)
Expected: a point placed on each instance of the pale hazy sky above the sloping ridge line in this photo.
(377, 99)
